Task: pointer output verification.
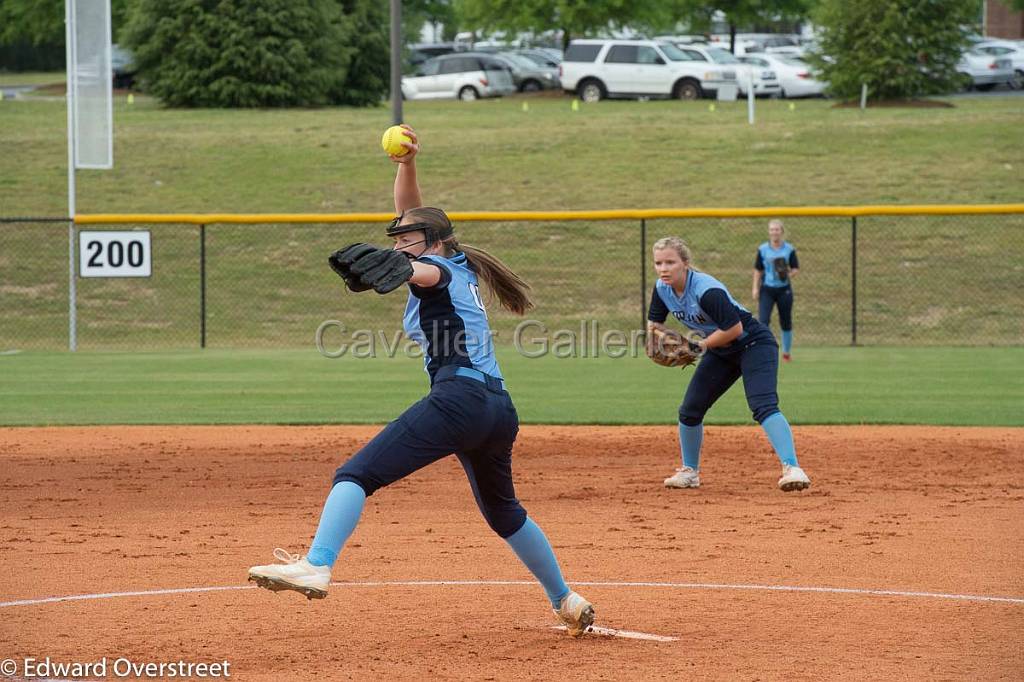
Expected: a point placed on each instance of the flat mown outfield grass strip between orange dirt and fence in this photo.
(970, 388)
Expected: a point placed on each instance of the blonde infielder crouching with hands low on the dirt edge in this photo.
(733, 345)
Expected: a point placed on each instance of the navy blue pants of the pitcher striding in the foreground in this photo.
(460, 416)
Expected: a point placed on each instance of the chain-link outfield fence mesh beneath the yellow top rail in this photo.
(871, 281)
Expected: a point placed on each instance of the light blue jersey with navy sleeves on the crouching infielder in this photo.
(691, 308)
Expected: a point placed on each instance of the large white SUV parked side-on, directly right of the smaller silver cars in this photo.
(599, 69)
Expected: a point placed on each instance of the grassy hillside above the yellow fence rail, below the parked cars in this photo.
(492, 155)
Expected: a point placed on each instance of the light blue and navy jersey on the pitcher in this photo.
(449, 321)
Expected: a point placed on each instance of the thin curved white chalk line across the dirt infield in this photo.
(675, 586)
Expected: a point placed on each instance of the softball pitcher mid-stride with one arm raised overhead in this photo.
(467, 412)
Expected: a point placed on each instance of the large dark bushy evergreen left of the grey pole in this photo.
(261, 53)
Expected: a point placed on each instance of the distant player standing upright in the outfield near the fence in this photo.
(775, 268)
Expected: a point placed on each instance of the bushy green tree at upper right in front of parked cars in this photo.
(900, 49)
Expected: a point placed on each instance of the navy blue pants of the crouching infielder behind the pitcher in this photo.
(755, 359)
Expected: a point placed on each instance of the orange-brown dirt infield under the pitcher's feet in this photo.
(911, 510)
